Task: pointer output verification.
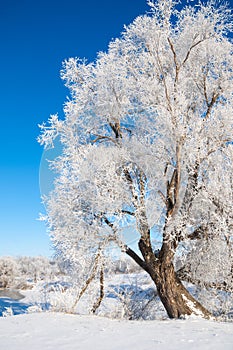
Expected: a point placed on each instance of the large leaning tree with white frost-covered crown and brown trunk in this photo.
(147, 149)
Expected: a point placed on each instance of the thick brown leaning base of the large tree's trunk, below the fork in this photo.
(176, 299)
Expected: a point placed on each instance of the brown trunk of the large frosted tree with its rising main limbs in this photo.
(175, 297)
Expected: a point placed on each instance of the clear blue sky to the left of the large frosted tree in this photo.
(36, 36)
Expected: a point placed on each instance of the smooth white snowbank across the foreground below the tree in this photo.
(57, 331)
